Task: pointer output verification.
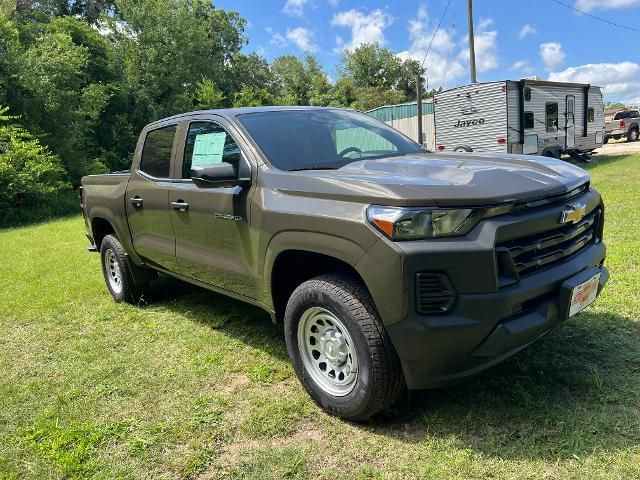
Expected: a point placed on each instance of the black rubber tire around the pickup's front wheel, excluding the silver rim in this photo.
(379, 380)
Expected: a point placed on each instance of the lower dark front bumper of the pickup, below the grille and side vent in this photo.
(439, 349)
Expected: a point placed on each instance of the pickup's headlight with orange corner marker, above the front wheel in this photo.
(421, 223)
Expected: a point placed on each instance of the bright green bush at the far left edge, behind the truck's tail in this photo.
(31, 177)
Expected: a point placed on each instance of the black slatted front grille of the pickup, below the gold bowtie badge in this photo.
(535, 252)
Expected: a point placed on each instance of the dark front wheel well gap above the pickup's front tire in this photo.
(293, 267)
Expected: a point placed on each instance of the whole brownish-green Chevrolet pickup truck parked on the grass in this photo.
(388, 266)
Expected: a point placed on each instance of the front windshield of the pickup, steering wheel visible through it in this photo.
(322, 139)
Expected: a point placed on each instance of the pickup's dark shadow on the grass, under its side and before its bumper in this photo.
(575, 391)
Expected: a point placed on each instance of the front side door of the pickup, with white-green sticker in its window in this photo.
(211, 222)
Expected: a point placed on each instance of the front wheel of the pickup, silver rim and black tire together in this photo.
(340, 349)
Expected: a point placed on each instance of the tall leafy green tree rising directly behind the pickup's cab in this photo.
(167, 46)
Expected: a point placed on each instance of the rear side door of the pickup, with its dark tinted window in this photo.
(147, 199)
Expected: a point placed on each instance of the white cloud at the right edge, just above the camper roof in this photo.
(619, 80)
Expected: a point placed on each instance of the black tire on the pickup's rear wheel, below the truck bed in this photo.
(131, 291)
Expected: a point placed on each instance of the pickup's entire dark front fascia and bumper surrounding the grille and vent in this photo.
(490, 319)
